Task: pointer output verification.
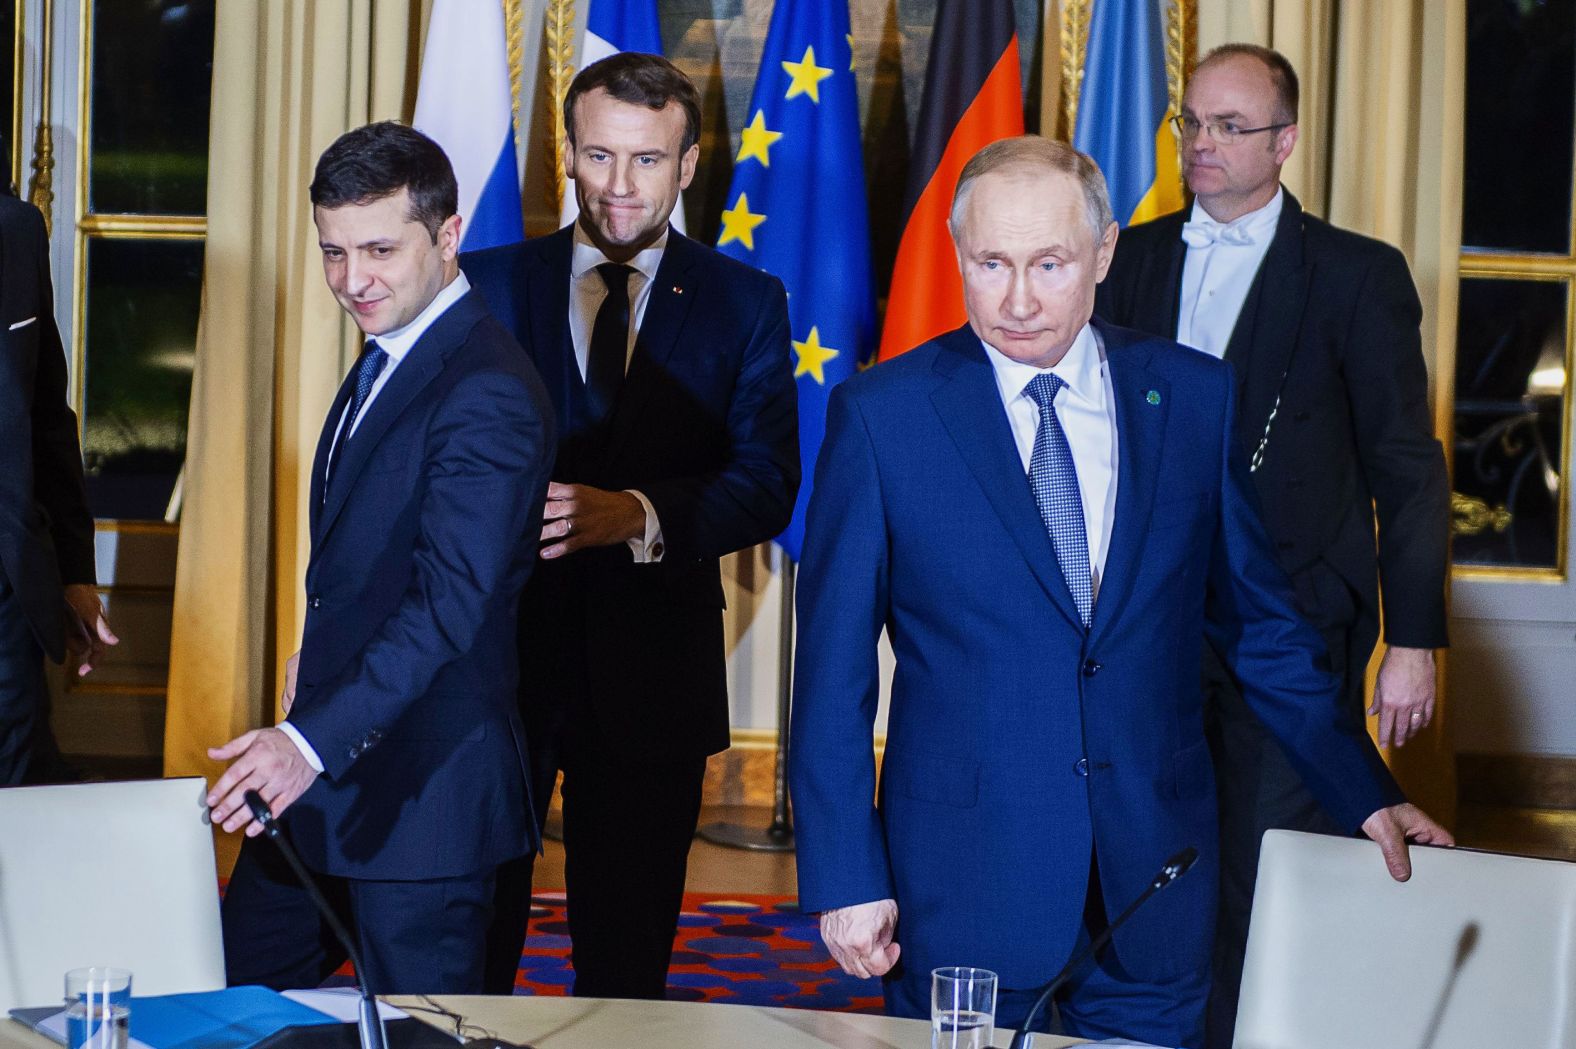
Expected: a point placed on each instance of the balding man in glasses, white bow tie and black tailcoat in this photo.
(1321, 328)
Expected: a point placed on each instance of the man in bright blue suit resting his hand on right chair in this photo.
(1046, 516)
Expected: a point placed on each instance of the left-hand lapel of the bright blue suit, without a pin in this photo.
(970, 409)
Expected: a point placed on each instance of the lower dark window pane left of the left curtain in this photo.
(143, 302)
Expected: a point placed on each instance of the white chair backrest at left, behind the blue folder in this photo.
(108, 875)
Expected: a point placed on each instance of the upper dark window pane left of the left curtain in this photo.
(152, 76)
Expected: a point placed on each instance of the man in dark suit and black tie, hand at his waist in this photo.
(669, 368)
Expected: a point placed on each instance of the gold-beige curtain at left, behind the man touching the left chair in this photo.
(272, 347)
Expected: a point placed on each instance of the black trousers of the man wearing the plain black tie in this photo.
(628, 831)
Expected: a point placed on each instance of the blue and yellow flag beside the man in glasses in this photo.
(1124, 106)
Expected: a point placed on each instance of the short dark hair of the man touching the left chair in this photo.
(377, 161)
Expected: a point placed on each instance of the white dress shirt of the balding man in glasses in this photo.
(1217, 276)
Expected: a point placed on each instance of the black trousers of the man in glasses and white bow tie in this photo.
(1258, 791)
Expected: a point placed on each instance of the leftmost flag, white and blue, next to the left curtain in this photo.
(466, 105)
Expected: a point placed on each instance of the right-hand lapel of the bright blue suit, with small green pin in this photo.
(1143, 401)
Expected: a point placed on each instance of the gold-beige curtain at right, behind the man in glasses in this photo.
(1380, 152)
